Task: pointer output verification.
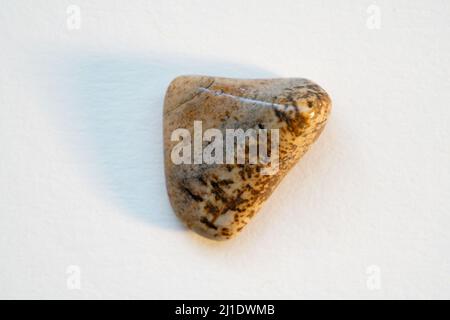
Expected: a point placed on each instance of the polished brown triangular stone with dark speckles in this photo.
(217, 199)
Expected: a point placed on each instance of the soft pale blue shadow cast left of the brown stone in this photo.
(114, 120)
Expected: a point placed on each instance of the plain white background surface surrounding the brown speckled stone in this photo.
(365, 214)
